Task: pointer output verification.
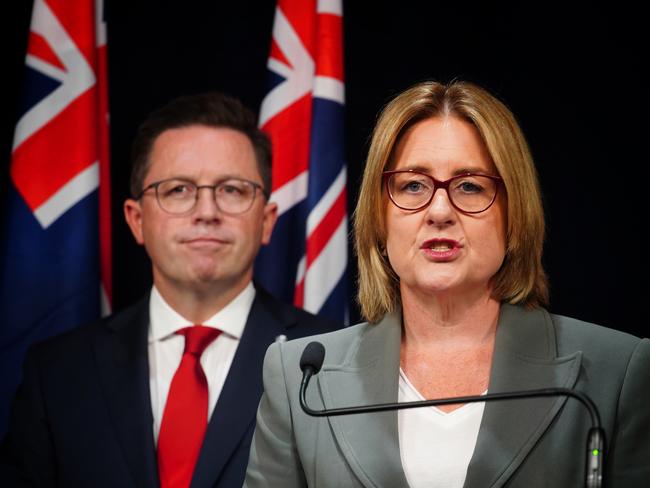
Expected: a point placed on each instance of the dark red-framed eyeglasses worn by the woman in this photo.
(468, 192)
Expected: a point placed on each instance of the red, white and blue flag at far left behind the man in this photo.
(55, 253)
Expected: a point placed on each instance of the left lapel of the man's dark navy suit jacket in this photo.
(122, 361)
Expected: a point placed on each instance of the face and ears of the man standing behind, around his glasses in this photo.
(205, 249)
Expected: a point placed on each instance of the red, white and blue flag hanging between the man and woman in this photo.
(303, 113)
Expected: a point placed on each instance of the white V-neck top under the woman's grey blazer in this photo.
(435, 447)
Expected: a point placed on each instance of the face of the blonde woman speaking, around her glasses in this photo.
(440, 250)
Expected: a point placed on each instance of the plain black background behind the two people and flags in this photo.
(570, 73)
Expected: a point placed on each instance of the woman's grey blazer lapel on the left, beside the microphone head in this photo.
(369, 375)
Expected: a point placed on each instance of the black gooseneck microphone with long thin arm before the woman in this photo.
(312, 359)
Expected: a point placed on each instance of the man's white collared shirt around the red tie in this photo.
(166, 348)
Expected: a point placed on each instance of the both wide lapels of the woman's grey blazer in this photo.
(525, 358)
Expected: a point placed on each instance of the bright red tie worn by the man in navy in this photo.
(185, 418)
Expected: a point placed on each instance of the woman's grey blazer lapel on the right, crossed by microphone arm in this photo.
(524, 359)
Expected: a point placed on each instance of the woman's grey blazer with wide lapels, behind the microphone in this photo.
(521, 443)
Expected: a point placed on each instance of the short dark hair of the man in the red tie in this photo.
(211, 109)
